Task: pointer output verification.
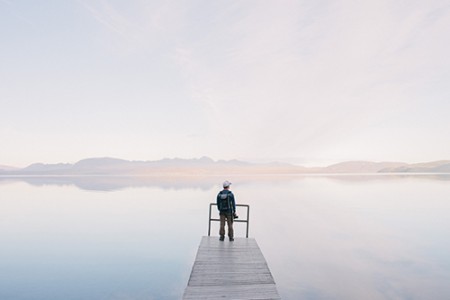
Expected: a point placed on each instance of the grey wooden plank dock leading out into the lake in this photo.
(230, 270)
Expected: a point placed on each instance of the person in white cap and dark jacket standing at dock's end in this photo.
(227, 208)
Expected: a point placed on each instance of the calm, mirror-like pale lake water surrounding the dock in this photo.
(335, 237)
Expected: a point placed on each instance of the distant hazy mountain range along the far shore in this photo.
(207, 166)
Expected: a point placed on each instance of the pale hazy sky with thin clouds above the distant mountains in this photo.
(306, 82)
